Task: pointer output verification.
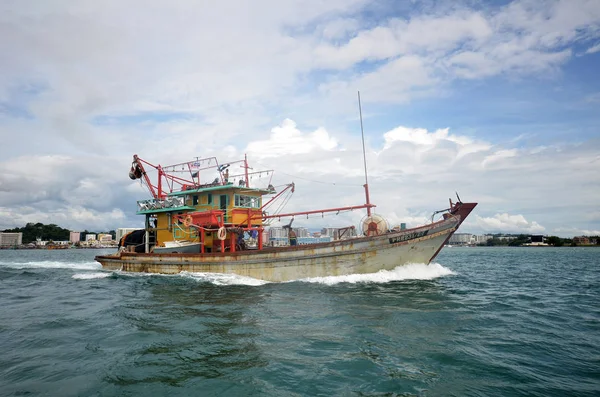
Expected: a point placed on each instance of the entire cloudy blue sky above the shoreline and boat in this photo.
(496, 100)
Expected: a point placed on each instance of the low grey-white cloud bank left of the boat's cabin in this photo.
(80, 193)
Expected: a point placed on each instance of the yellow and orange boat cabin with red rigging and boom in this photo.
(187, 214)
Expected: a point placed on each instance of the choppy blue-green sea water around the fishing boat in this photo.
(476, 322)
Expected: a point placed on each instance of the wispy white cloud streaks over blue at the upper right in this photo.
(415, 56)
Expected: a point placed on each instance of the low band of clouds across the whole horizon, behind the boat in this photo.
(411, 174)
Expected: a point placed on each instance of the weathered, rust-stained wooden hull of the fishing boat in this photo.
(359, 255)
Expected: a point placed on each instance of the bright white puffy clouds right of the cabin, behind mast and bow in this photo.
(415, 171)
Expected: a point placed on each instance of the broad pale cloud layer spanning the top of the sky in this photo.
(90, 59)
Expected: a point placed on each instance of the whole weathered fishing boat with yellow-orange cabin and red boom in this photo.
(224, 221)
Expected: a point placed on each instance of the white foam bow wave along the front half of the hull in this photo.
(413, 271)
